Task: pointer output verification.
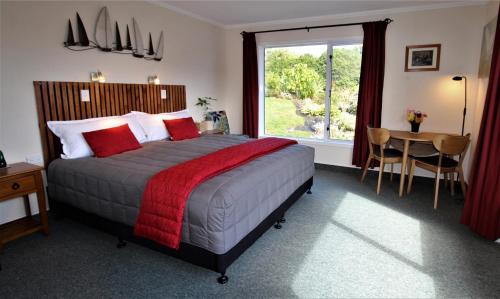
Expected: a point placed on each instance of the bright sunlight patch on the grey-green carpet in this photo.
(367, 250)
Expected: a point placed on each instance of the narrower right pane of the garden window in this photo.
(346, 67)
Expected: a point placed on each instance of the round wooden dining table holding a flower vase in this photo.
(407, 137)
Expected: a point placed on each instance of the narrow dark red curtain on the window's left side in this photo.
(250, 86)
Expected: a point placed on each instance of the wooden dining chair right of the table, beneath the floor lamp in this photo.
(444, 163)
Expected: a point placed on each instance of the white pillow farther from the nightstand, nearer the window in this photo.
(153, 125)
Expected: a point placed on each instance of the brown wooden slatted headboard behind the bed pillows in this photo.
(61, 101)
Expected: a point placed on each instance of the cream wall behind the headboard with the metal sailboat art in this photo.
(31, 49)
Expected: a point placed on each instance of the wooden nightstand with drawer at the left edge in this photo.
(20, 180)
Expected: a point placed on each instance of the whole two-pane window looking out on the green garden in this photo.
(311, 91)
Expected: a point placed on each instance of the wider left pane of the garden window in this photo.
(295, 91)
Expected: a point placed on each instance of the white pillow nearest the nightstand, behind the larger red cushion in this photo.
(72, 140)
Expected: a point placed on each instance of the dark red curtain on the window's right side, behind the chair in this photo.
(371, 83)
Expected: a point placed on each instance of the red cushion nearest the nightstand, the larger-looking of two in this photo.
(108, 142)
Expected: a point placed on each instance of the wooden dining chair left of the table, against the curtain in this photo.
(377, 141)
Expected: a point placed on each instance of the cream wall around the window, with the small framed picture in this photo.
(458, 30)
